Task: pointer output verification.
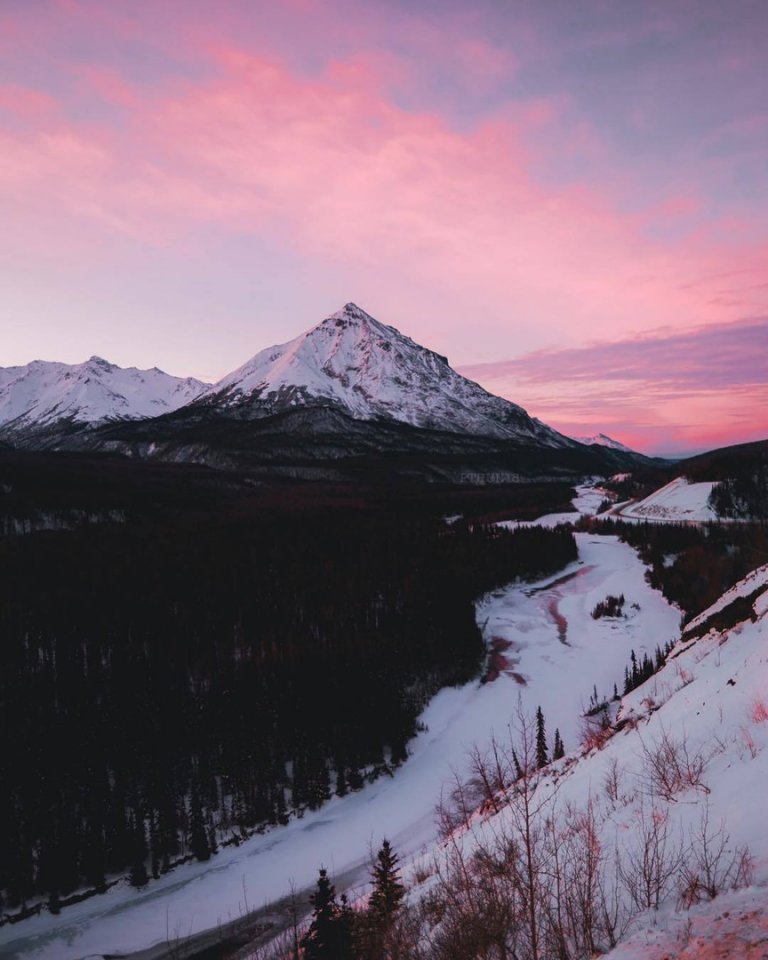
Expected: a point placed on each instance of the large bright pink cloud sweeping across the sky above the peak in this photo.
(330, 166)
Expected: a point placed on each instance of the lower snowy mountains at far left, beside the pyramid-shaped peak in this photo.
(43, 394)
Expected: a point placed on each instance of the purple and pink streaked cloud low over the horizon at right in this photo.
(662, 391)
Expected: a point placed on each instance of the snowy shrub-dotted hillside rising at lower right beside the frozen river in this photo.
(659, 812)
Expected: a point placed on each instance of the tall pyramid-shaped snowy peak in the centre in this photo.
(372, 372)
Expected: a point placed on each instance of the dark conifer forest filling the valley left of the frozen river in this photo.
(175, 682)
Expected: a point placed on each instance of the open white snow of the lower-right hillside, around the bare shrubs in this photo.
(690, 756)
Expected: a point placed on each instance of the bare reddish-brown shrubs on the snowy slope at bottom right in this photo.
(535, 878)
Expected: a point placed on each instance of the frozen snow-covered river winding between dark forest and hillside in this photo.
(555, 654)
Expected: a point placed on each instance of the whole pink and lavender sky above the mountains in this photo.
(538, 195)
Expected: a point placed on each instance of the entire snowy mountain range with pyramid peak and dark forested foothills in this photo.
(350, 389)
